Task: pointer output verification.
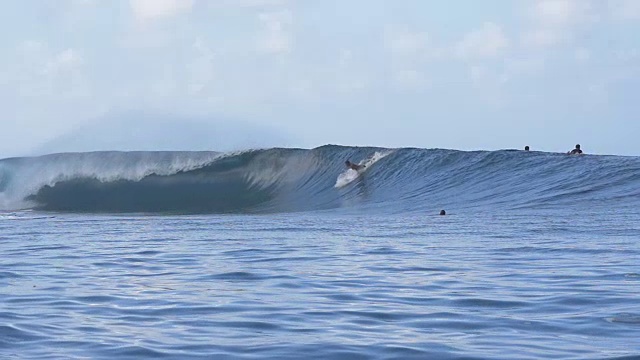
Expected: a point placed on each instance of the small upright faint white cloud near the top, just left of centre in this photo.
(276, 37)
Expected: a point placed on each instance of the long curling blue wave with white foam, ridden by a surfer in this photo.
(287, 180)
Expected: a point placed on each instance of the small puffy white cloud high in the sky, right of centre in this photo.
(486, 42)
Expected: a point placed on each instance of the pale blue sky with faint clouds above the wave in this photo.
(82, 75)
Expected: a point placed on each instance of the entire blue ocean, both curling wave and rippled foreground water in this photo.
(284, 254)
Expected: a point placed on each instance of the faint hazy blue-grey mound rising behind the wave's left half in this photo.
(150, 132)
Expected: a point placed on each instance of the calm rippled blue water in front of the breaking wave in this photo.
(152, 287)
